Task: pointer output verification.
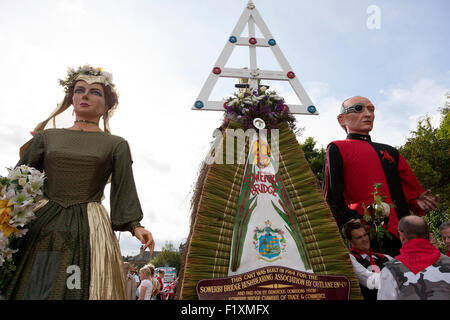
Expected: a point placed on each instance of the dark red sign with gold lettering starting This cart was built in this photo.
(275, 283)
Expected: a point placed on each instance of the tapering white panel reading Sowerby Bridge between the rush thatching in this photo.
(266, 228)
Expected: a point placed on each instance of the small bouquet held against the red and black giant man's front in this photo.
(376, 215)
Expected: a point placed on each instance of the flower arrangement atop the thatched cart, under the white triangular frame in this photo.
(245, 106)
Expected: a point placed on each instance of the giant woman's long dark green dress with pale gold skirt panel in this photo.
(70, 251)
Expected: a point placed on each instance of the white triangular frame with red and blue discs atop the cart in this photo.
(251, 16)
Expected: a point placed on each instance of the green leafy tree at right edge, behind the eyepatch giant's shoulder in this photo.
(428, 154)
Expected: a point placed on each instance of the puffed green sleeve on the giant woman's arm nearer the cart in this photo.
(126, 209)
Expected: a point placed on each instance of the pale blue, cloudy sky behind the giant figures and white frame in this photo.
(161, 52)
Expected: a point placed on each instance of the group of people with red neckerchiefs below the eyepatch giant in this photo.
(420, 272)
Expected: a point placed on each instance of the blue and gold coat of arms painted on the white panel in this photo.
(269, 242)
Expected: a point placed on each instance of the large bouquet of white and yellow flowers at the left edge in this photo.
(19, 192)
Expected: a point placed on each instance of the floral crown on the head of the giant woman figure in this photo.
(87, 73)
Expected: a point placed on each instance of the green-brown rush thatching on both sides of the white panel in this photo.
(213, 218)
